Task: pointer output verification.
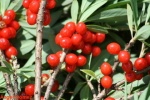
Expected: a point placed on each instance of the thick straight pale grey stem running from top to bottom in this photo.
(38, 53)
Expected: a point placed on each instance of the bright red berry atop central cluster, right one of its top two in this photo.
(81, 28)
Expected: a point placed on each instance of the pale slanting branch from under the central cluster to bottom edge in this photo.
(51, 81)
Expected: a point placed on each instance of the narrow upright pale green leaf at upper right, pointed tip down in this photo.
(130, 18)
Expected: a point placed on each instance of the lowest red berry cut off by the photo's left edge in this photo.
(4, 44)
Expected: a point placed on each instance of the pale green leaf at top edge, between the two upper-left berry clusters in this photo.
(15, 5)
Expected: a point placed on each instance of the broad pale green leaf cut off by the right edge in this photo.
(143, 33)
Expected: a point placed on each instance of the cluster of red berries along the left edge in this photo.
(8, 28)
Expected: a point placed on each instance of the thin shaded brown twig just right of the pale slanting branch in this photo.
(64, 87)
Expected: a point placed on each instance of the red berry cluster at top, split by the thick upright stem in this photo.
(32, 7)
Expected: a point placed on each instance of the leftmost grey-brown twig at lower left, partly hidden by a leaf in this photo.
(6, 76)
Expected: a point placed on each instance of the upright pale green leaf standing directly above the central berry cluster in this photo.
(74, 10)
